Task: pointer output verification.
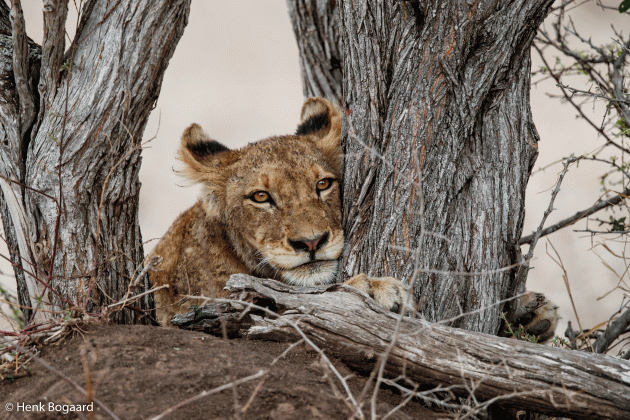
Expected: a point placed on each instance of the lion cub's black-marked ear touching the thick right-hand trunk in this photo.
(322, 120)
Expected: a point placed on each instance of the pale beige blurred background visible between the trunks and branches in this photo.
(236, 73)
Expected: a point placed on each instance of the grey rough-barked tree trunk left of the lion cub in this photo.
(71, 125)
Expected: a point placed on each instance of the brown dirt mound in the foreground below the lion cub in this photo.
(139, 372)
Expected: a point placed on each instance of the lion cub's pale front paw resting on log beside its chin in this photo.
(386, 291)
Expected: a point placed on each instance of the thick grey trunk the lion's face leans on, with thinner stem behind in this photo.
(439, 142)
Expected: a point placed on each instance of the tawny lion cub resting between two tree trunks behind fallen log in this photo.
(271, 209)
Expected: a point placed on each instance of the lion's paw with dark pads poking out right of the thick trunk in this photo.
(537, 315)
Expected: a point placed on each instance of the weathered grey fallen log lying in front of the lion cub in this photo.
(349, 325)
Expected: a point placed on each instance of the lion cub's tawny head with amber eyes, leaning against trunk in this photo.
(279, 198)
